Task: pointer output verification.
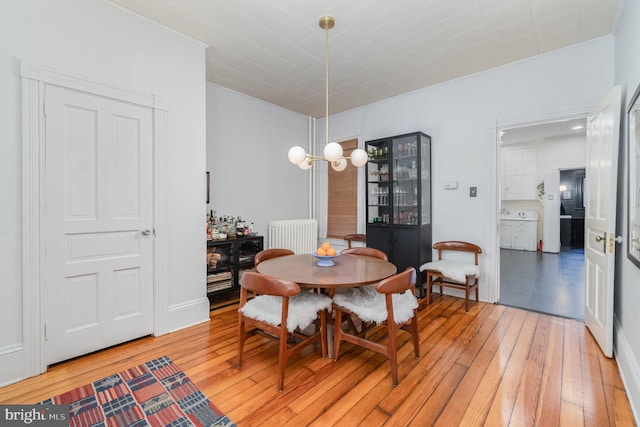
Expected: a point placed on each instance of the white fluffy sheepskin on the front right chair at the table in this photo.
(371, 306)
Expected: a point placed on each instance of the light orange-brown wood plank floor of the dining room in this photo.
(495, 365)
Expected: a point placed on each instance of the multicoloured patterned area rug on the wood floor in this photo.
(156, 393)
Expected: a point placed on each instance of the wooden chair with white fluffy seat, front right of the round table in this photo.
(392, 303)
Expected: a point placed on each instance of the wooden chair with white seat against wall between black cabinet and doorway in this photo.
(454, 274)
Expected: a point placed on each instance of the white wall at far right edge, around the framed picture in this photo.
(627, 290)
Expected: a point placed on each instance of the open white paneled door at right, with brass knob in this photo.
(603, 131)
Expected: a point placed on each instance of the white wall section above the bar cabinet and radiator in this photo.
(247, 144)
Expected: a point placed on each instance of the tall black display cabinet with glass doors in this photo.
(399, 199)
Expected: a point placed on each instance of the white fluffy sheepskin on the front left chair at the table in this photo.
(303, 309)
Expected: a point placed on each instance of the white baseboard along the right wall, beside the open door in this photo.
(629, 369)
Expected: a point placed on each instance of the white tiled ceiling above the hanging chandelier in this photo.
(274, 50)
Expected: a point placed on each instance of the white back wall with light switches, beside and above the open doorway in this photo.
(461, 117)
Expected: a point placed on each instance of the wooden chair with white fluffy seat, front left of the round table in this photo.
(280, 312)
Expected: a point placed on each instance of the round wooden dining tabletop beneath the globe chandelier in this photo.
(348, 271)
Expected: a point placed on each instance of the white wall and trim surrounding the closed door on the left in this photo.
(98, 41)
